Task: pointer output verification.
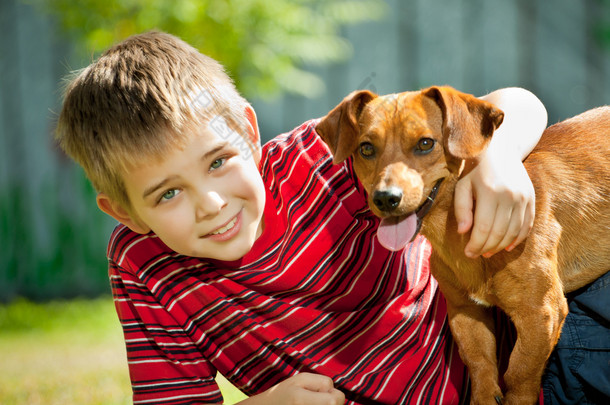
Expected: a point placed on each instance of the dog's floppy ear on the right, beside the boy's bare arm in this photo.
(468, 122)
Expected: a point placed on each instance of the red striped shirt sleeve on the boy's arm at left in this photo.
(165, 366)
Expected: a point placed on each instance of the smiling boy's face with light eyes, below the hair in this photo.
(205, 200)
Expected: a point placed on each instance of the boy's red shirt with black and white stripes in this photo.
(316, 293)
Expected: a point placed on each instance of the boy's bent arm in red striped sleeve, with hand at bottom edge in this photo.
(158, 376)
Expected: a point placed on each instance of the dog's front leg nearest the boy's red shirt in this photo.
(472, 327)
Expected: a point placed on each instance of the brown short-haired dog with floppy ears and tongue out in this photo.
(407, 151)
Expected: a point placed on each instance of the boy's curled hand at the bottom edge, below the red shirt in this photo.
(301, 389)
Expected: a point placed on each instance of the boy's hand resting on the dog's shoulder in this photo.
(504, 209)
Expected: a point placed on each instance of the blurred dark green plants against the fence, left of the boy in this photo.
(66, 257)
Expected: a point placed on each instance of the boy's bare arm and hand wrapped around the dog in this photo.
(504, 195)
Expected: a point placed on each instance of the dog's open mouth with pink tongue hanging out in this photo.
(395, 232)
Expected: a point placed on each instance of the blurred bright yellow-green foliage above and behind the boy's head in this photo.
(264, 44)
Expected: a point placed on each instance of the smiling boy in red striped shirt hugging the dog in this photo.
(264, 264)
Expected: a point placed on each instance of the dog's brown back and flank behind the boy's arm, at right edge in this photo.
(572, 163)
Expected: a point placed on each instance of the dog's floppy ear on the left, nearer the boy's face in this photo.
(340, 129)
